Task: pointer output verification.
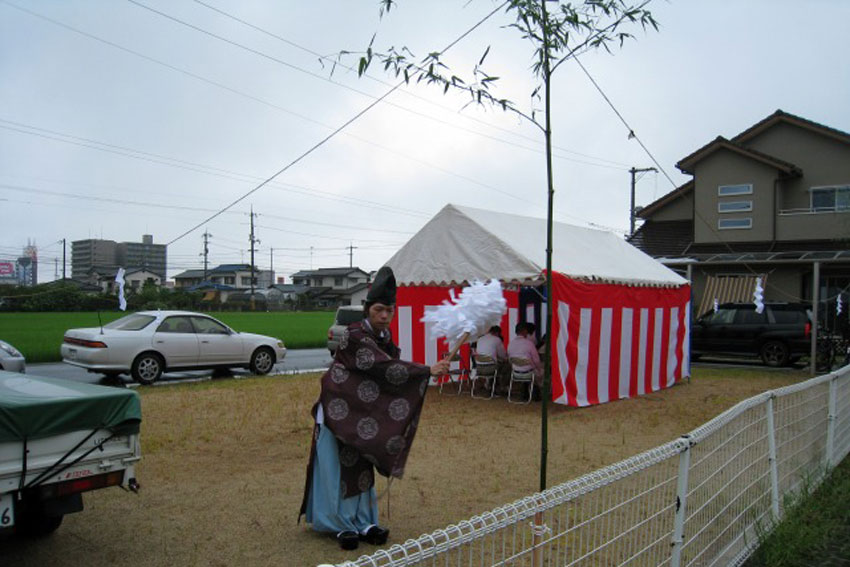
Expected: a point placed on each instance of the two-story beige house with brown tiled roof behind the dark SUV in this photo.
(773, 202)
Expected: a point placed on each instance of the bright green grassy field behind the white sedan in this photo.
(38, 335)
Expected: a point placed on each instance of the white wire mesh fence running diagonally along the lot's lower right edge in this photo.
(700, 500)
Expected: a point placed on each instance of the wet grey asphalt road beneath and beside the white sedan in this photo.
(296, 361)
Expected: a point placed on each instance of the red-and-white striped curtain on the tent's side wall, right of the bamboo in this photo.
(615, 341)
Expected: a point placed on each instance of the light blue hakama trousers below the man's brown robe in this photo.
(326, 510)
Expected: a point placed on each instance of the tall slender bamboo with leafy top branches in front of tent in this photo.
(556, 37)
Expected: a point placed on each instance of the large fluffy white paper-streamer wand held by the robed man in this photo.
(478, 307)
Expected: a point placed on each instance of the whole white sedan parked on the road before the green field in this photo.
(147, 343)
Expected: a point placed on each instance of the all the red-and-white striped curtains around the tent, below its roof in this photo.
(610, 341)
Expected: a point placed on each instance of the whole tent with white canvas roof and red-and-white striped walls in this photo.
(620, 319)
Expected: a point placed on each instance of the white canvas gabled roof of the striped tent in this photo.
(461, 244)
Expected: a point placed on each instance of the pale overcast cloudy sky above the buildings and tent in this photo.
(120, 118)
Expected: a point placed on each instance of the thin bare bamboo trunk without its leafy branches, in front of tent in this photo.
(547, 364)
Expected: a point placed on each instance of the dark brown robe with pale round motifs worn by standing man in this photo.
(371, 402)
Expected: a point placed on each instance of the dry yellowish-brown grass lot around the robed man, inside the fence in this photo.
(223, 466)
